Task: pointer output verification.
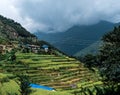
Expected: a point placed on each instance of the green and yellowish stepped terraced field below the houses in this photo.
(59, 72)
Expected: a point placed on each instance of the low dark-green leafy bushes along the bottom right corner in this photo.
(97, 90)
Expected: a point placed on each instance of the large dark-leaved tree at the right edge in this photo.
(109, 56)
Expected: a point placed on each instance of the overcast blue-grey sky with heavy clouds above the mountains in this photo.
(59, 15)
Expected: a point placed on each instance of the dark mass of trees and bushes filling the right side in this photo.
(107, 61)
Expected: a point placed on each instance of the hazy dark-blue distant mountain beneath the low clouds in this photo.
(77, 37)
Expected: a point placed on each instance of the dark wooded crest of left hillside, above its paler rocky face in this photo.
(12, 26)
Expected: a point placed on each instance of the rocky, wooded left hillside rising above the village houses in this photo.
(12, 33)
